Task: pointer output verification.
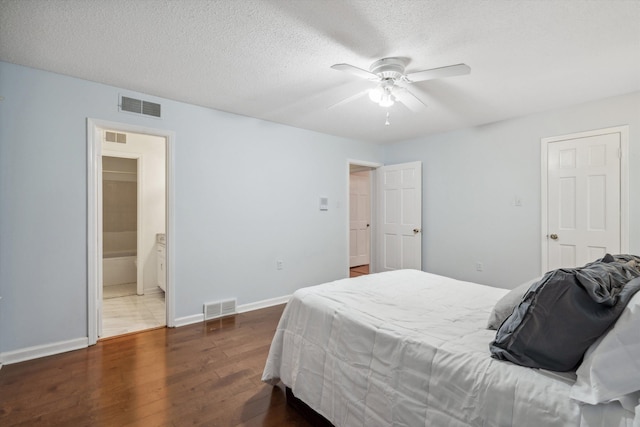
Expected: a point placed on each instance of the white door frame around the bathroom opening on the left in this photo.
(94, 170)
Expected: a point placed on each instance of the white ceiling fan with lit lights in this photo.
(393, 82)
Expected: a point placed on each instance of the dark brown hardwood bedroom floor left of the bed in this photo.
(204, 374)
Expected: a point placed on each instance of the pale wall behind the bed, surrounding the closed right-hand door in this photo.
(470, 180)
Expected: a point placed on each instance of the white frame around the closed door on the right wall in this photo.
(624, 185)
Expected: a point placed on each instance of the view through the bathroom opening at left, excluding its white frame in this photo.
(133, 230)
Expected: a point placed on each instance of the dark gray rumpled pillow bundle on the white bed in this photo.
(564, 313)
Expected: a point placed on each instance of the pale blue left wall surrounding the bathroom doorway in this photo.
(246, 195)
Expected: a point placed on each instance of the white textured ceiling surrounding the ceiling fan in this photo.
(271, 59)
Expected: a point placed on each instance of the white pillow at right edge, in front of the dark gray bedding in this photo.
(611, 366)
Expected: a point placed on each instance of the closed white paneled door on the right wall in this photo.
(583, 199)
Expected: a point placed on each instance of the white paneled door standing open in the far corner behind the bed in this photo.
(399, 216)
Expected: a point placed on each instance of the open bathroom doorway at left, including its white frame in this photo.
(143, 157)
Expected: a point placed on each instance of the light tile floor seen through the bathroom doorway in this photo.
(133, 313)
